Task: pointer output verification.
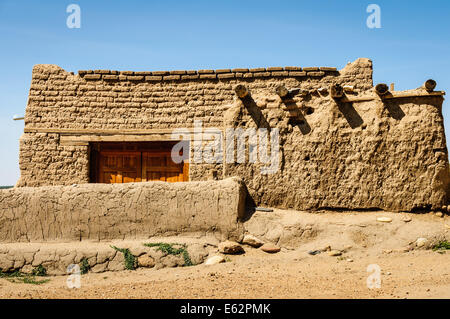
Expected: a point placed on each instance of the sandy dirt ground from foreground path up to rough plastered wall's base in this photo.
(291, 273)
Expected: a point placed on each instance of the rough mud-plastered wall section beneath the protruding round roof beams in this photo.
(366, 155)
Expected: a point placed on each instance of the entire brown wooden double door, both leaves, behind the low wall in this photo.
(140, 166)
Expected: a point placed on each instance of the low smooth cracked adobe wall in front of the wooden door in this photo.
(122, 211)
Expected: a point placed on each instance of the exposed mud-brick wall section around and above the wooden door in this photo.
(104, 102)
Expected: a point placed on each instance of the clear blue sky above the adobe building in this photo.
(411, 46)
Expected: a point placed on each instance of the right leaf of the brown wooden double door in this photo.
(158, 166)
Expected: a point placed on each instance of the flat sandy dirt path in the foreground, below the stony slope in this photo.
(417, 274)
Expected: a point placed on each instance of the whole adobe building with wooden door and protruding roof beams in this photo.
(343, 144)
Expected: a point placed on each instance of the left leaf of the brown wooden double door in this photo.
(120, 167)
